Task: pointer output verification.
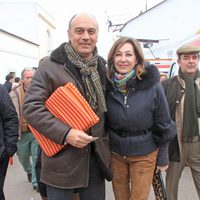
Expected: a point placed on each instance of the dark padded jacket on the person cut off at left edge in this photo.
(8, 124)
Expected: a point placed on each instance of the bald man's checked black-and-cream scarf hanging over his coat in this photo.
(90, 78)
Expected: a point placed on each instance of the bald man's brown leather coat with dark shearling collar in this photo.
(70, 167)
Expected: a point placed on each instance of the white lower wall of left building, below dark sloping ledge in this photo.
(15, 54)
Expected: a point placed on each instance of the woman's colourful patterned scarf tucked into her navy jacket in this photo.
(120, 80)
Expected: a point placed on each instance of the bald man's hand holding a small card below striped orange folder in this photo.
(78, 138)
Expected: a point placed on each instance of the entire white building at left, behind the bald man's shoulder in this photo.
(23, 36)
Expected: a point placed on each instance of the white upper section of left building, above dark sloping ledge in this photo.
(20, 19)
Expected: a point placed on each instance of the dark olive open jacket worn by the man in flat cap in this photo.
(174, 93)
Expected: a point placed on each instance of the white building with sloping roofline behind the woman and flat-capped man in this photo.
(171, 22)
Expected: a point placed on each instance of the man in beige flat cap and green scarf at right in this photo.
(183, 95)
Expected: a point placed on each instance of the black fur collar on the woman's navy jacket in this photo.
(149, 78)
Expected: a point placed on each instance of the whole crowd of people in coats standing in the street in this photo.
(146, 124)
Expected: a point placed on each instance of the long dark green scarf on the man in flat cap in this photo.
(191, 108)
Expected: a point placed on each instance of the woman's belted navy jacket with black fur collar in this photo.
(143, 112)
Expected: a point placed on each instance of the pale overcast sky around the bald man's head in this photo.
(116, 11)
